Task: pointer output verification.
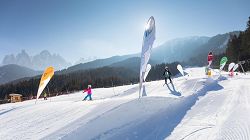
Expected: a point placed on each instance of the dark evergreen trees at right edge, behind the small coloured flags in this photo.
(238, 49)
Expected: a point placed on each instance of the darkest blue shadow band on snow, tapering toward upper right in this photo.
(161, 124)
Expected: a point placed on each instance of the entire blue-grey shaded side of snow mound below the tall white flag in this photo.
(158, 125)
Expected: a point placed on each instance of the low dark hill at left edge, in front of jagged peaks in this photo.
(13, 72)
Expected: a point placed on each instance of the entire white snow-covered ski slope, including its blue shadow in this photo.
(197, 107)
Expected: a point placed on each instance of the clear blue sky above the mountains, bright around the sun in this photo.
(103, 28)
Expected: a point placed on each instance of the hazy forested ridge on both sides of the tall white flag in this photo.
(180, 50)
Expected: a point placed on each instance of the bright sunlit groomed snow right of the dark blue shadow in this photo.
(227, 119)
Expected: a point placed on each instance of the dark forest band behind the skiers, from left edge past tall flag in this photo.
(79, 80)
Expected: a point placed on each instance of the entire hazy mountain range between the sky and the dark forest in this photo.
(190, 50)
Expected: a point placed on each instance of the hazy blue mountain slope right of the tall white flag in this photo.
(191, 50)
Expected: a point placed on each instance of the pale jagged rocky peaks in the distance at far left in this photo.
(37, 62)
